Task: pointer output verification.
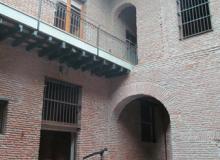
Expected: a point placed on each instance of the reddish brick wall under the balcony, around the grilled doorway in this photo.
(22, 81)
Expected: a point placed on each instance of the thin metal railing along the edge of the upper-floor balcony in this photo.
(70, 20)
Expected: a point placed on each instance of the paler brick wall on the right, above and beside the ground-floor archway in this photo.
(183, 75)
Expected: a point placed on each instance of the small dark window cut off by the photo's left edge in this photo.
(3, 105)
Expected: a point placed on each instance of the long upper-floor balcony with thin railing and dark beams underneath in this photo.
(63, 34)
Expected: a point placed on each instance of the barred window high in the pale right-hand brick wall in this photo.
(194, 17)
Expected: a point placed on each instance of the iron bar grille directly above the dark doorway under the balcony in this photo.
(62, 102)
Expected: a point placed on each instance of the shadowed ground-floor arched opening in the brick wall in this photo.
(144, 130)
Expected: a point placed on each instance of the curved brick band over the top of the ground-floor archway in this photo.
(128, 93)
